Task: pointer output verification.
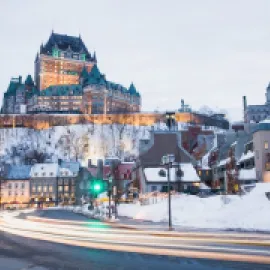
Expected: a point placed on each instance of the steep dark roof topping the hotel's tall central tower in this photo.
(64, 43)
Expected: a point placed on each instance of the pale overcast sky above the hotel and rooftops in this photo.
(207, 52)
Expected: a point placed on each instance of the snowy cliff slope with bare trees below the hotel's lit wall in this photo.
(80, 142)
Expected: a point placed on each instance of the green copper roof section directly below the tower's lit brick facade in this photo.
(63, 90)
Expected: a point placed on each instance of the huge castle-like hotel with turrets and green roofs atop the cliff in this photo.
(67, 80)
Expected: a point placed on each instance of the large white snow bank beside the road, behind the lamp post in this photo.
(249, 212)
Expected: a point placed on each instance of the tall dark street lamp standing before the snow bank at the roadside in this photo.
(167, 161)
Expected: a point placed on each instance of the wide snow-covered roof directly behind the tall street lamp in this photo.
(189, 174)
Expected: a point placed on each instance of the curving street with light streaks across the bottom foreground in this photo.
(56, 239)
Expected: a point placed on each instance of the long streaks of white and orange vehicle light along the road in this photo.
(184, 245)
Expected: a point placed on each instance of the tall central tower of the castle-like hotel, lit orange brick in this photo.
(61, 61)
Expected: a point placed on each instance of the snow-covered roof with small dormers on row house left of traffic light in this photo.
(44, 170)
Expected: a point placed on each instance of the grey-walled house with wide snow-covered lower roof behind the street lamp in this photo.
(184, 176)
